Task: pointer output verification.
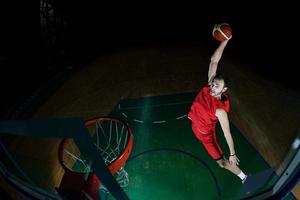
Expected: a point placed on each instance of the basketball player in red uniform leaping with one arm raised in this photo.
(210, 106)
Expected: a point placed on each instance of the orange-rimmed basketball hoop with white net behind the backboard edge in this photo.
(112, 137)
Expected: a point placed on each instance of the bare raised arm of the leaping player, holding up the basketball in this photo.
(214, 60)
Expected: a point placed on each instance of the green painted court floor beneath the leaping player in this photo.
(168, 162)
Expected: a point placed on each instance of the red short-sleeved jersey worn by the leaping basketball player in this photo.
(203, 110)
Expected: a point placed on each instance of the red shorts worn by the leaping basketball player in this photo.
(209, 141)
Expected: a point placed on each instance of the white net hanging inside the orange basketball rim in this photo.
(110, 138)
